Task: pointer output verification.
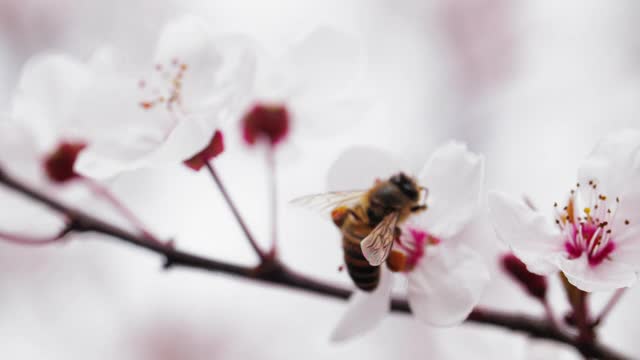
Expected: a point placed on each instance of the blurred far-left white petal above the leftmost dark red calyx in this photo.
(47, 94)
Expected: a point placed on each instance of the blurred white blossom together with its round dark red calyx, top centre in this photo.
(310, 84)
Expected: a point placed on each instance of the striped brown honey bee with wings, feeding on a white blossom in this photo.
(368, 221)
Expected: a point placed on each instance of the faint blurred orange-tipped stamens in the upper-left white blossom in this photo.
(167, 91)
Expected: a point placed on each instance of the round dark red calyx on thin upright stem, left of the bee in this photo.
(270, 122)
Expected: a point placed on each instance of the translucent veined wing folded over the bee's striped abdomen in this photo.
(377, 245)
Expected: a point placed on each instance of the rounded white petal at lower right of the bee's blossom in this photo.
(445, 287)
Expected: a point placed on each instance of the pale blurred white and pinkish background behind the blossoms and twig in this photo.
(532, 85)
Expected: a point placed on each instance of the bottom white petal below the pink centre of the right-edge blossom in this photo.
(608, 275)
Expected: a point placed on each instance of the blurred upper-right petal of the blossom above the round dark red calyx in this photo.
(325, 63)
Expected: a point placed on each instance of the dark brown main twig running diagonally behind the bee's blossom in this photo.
(273, 272)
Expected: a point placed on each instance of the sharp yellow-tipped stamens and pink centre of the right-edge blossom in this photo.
(586, 223)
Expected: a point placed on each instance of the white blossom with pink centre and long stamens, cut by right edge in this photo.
(593, 237)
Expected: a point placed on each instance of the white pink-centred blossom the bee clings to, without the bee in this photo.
(445, 277)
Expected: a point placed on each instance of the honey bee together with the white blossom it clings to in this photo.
(400, 226)
